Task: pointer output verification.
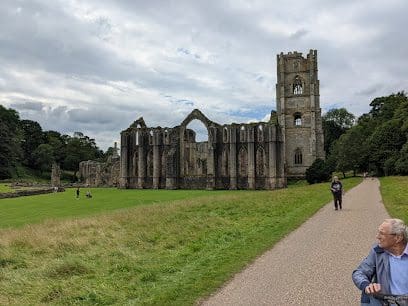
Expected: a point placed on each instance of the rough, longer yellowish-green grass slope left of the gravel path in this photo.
(173, 253)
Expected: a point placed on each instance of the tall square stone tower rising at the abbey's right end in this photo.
(298, 111)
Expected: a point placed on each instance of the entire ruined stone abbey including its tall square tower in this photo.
(258, 155)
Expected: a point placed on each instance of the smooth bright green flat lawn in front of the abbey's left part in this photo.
(35, 209)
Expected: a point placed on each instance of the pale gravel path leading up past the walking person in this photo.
(313, 264)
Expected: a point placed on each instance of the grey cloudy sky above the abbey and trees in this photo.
(95, 66)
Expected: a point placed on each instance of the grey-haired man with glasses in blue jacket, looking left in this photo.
(385, 269)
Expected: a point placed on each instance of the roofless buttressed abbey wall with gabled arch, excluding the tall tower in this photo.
(236, 156)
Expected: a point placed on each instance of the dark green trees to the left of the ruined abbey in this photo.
(24, 144)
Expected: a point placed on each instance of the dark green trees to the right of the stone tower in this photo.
(376, 142)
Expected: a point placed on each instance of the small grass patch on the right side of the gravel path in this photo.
(394, 192)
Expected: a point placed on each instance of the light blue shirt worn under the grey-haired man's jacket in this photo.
(399, 272)
